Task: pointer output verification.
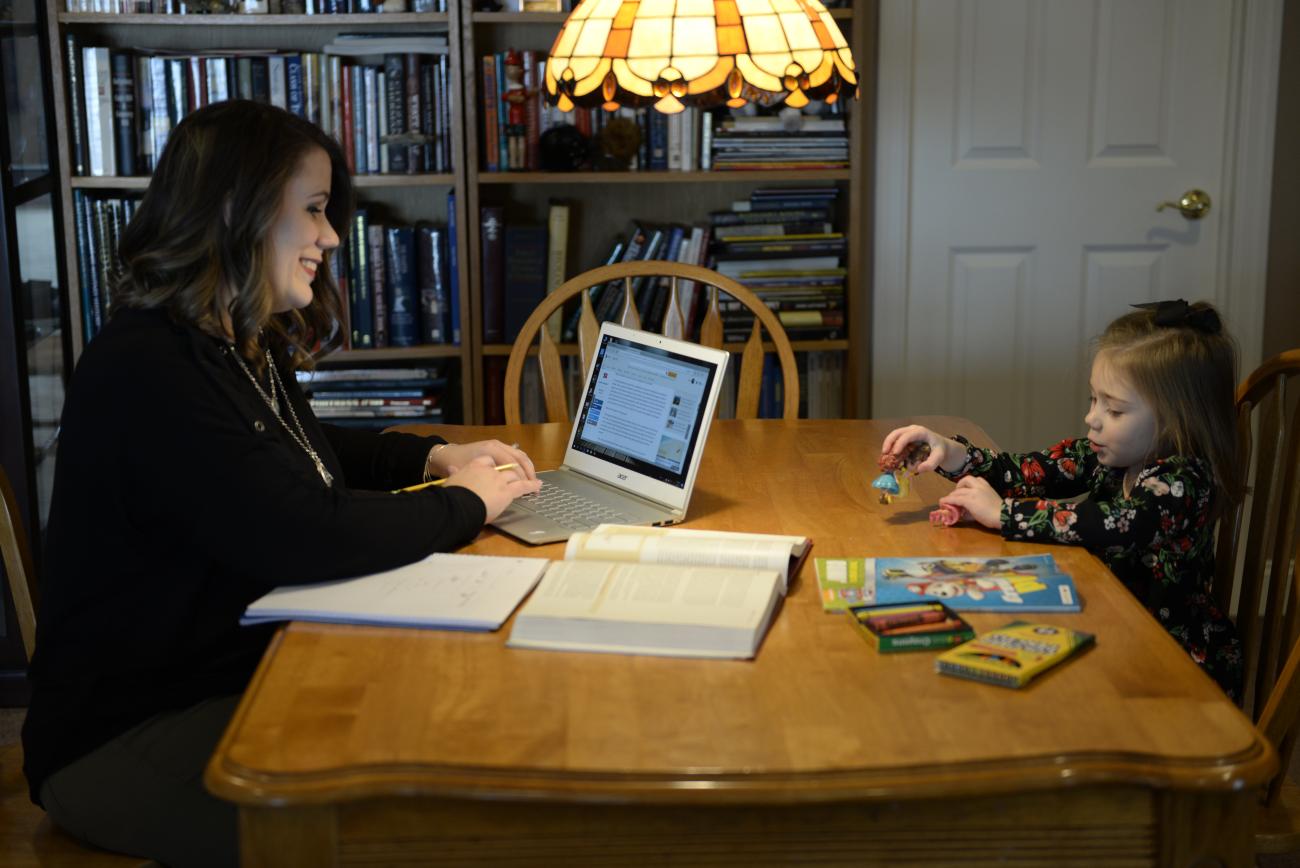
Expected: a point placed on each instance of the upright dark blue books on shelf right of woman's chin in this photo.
(400, 285)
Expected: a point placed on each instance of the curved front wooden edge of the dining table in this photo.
(1253, 767)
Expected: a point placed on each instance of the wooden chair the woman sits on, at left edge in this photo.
(28, 837)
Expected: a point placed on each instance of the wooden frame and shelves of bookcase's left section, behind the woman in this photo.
(400, 198)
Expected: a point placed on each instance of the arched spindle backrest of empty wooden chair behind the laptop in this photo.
(629, 279)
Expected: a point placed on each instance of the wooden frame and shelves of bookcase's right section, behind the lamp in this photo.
(606, 202)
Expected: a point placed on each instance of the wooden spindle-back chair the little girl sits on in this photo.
(1262, 536)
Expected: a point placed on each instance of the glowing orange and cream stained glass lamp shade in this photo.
(673, 54)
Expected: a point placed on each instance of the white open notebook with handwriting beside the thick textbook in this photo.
(457, 592)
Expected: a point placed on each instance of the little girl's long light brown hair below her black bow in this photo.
(1184, 363)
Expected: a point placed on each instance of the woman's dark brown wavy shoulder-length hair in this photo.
(203, 228)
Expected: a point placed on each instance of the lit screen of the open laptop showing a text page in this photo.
(644, 407)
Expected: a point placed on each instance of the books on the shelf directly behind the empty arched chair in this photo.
(779, 244)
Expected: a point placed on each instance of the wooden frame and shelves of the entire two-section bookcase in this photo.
(604, 199)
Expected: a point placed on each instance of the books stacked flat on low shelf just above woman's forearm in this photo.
(376, 397)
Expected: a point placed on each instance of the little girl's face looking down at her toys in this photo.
(1121, 423)
